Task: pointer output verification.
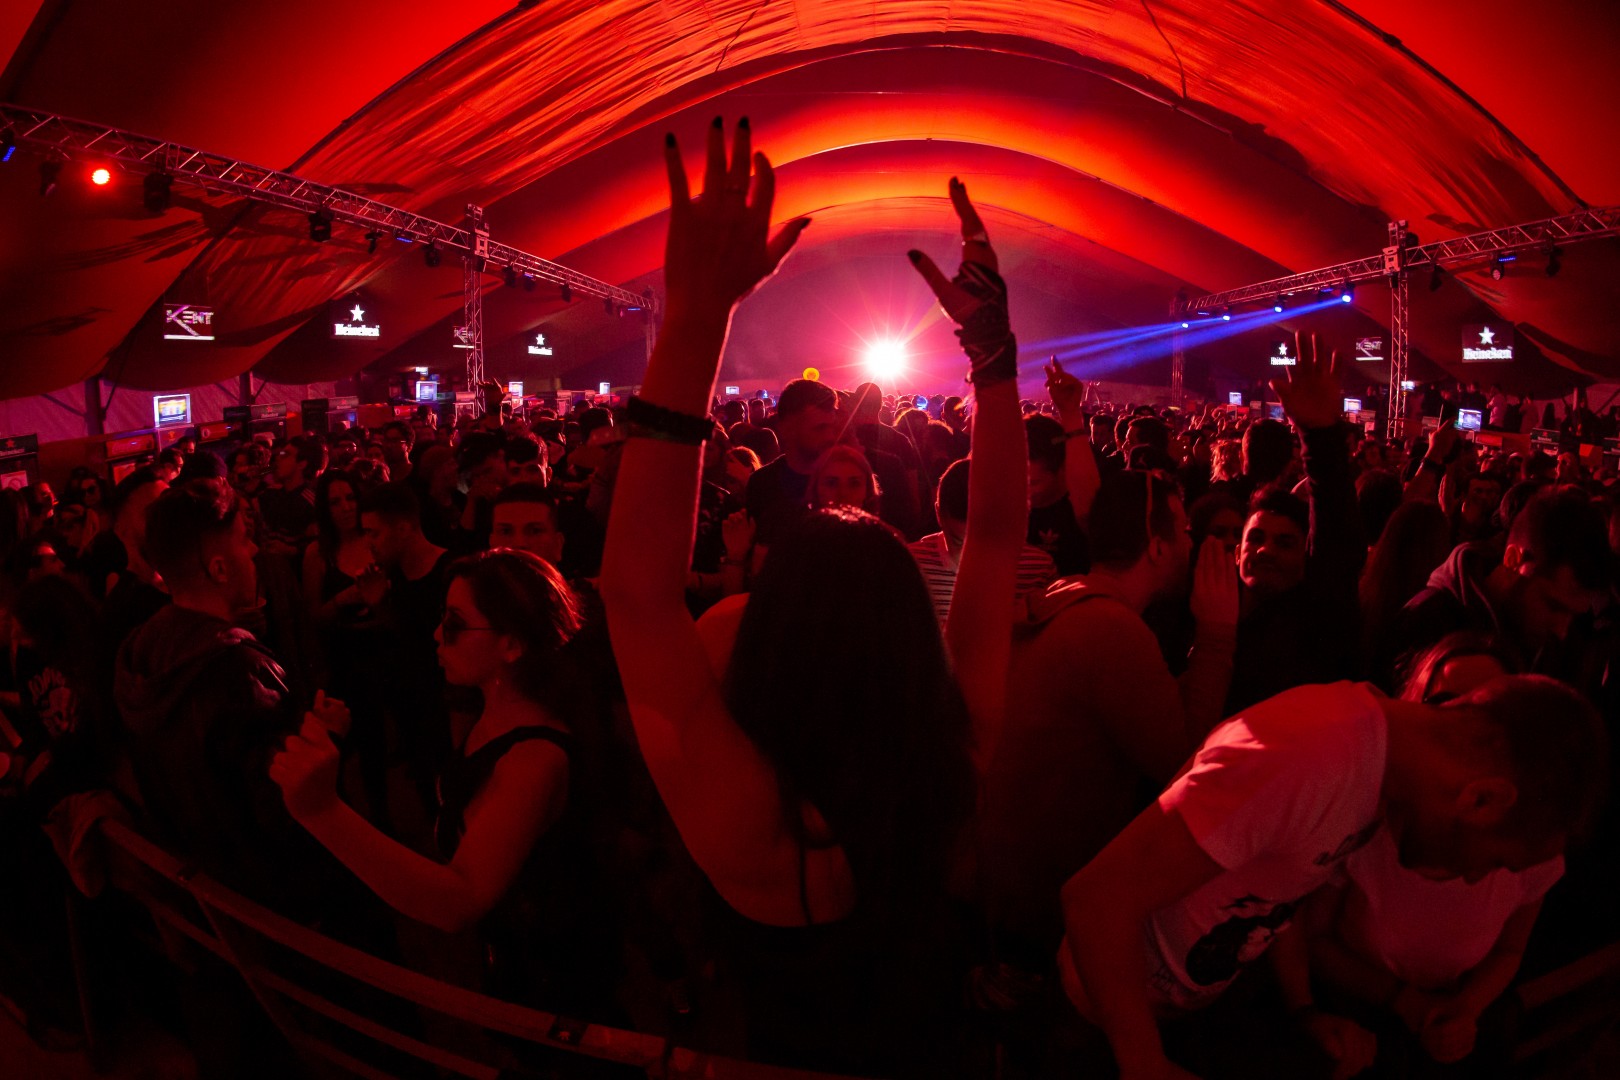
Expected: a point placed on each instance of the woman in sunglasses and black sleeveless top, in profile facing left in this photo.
(511, 828)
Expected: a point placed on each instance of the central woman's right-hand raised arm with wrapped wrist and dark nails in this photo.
(979, 632)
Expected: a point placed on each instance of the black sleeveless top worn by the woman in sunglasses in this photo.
(552, 943)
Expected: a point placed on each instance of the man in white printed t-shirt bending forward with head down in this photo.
(1209, 877)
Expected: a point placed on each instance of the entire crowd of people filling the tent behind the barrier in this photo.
(994, 734)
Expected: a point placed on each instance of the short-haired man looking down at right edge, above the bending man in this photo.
(1553, 569)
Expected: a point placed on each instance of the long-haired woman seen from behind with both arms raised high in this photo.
(825, 781)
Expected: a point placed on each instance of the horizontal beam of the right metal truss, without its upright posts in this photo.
(1447, 253)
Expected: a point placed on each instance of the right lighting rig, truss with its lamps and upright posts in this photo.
(1396, 266)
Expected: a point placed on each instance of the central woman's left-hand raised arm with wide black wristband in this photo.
(718, 252)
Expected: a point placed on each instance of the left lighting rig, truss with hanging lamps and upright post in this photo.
(64, 138)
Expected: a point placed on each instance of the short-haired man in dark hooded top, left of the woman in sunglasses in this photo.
(208, 705)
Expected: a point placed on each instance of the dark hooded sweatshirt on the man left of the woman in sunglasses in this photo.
(207, 707)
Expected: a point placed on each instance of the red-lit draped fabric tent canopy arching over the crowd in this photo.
(1120, 148)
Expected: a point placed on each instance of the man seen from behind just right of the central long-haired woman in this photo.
(1094, 712)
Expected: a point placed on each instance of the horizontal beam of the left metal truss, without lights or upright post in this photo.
(114, 148)
